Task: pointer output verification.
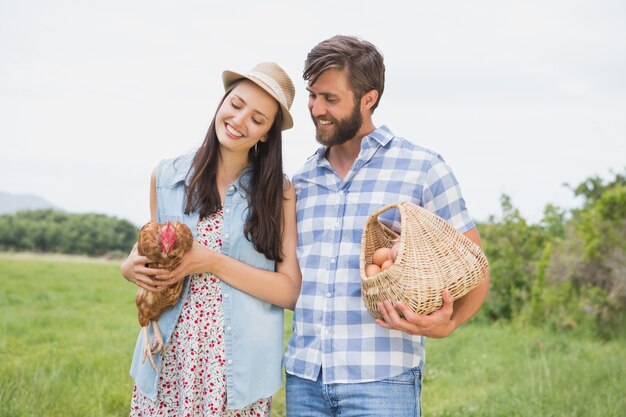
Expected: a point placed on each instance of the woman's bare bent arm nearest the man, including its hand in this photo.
(280, 288)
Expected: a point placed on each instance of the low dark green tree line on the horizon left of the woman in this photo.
(55, 231)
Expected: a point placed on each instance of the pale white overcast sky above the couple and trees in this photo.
(518, 97)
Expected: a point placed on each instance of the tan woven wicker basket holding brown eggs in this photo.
(433, 255)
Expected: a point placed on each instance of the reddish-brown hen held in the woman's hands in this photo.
(164, 244)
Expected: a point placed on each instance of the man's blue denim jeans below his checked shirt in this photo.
(398, 397)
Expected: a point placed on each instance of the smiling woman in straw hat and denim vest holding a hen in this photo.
(224, 338)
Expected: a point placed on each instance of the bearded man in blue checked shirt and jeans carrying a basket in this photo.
(339, 361)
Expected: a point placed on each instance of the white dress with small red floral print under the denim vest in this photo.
(192, 382)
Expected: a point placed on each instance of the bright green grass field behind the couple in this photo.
(68, 327)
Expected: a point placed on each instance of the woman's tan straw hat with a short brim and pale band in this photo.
(273, 79)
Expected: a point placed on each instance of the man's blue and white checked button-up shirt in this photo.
(332, 329)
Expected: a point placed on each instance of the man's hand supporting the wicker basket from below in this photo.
(437, 324)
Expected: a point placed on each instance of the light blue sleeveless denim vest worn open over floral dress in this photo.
(253, 329)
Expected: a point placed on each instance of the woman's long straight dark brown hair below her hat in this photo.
(264, 225)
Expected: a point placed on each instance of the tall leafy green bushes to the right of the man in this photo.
(569, 270)
